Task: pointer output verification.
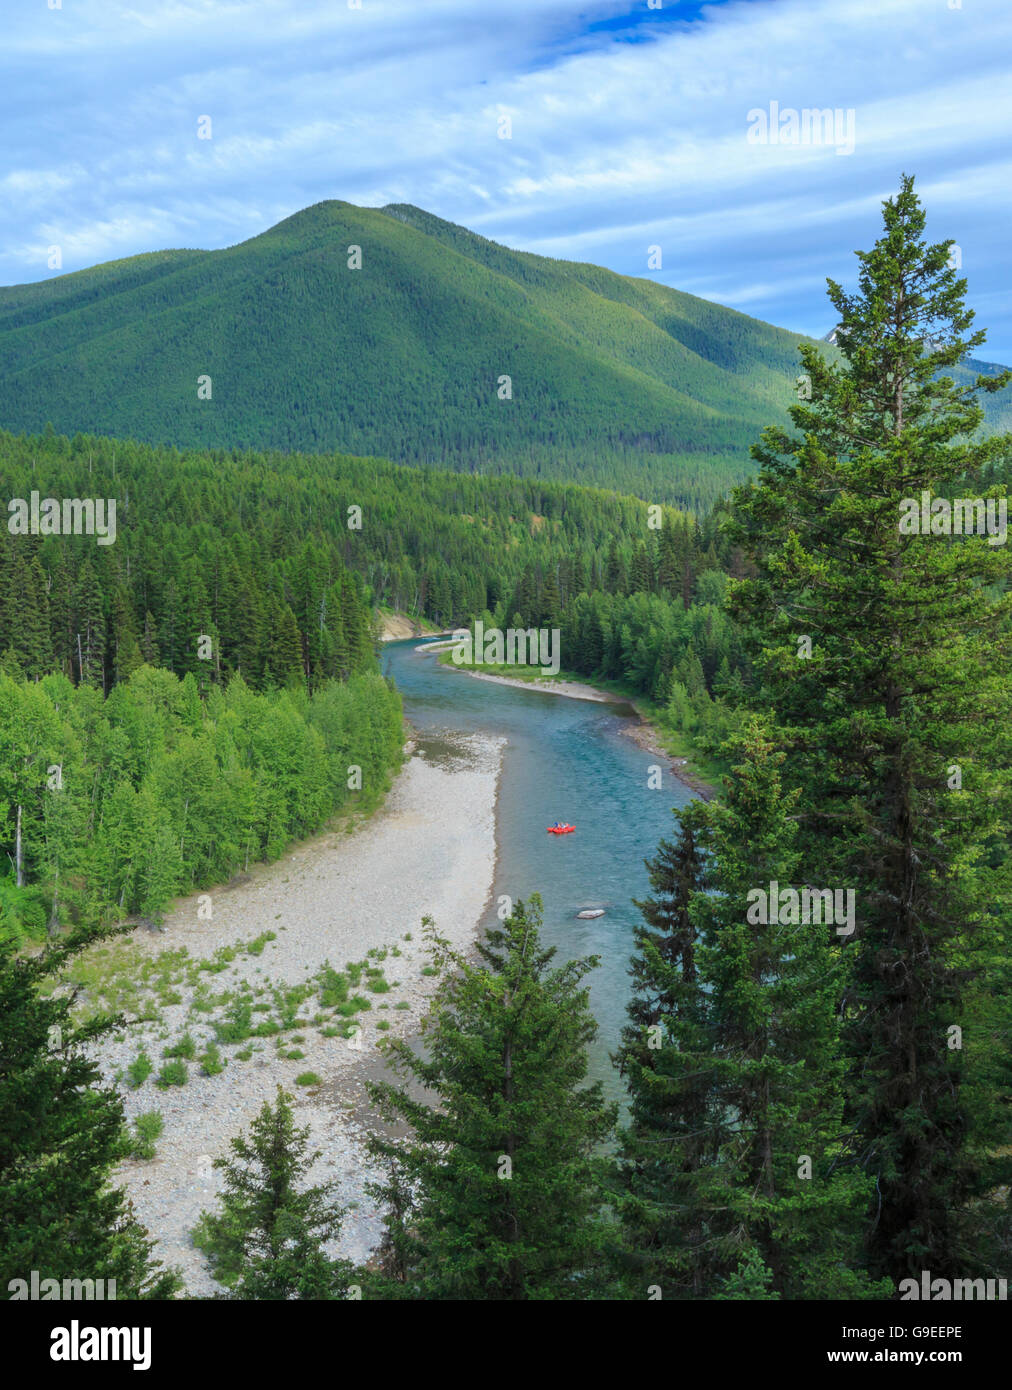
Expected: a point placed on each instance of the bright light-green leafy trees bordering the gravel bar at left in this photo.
(113, 807)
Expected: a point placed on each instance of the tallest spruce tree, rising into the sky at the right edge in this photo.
(897, 725)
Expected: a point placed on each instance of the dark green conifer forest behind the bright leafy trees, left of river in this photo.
(276, 559)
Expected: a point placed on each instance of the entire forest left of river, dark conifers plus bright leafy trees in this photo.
(234, 611)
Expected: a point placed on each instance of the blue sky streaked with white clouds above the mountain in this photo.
(636, 133)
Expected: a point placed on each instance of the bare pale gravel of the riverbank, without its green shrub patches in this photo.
(429, 851)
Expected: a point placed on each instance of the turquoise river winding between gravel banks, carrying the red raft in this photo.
(566, 760)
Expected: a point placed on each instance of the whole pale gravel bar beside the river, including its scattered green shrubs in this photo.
(252, 982)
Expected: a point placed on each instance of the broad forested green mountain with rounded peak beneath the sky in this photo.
(615, 380)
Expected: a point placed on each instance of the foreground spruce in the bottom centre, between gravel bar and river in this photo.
(501, 1166)
